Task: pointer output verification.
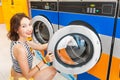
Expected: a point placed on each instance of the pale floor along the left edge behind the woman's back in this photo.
(5, 61)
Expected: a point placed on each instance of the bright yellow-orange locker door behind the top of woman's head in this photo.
(10, 7)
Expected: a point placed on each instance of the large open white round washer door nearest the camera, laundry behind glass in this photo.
(76, 48)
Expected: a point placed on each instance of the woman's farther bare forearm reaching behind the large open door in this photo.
(37, 46)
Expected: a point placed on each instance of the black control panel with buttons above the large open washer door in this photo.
(95, 8)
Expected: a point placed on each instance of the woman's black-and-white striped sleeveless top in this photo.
(16, 66)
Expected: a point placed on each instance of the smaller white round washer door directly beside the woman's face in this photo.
(42, 29)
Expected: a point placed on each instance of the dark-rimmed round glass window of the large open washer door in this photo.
(77, 50)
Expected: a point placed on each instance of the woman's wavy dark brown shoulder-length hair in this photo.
(14, 25)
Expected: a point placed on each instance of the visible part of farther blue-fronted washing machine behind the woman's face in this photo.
(44, 19)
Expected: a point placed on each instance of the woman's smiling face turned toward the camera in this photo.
(25, 29)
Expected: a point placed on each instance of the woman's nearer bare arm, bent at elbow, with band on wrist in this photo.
(21, 56)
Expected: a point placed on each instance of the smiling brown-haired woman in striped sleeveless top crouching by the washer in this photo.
(21, 54)
